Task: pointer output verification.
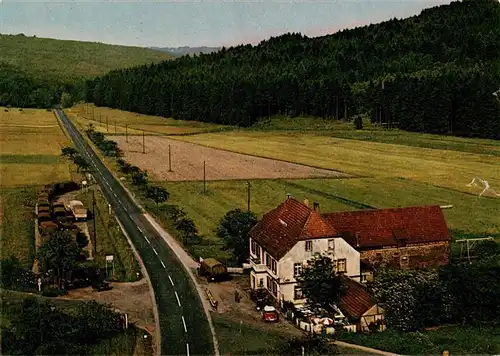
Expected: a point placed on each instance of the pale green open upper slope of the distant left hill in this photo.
(71, 59)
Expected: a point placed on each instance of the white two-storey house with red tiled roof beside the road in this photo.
(285, 239)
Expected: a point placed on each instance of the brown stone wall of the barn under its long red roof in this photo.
(414, 256)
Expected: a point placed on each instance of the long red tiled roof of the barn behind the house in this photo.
(378, 228)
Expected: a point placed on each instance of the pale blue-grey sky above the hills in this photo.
(195, 23)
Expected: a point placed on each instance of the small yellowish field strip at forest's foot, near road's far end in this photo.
(104, 120)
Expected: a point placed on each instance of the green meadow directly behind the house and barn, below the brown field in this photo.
(470, 215)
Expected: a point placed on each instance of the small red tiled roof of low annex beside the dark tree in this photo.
(356, 300)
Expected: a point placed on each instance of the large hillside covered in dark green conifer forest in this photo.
(435, 72)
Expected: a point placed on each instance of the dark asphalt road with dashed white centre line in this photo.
(184, 327)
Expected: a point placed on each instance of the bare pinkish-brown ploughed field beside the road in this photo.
(187, 162)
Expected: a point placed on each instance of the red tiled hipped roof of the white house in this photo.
(292, 221)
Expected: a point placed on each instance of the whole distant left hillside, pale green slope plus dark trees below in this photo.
(35, 71)
